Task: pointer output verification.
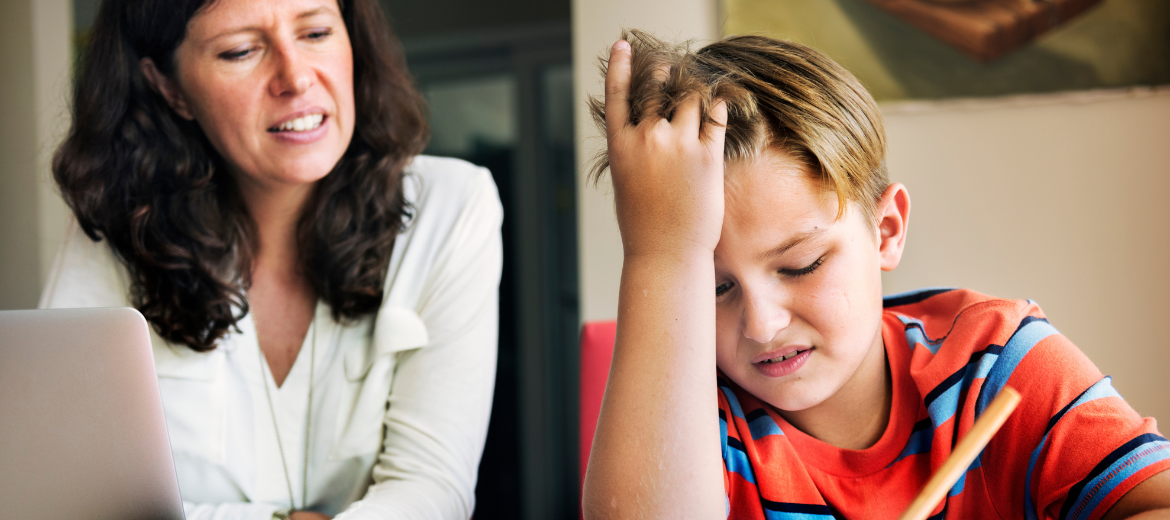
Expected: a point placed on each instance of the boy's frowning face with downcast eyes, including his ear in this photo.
(799, 291)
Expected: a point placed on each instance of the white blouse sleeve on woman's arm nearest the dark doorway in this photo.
(442, 398)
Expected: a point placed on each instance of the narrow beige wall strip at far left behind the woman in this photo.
(36, 54)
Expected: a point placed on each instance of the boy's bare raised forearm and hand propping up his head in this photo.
(657, 449)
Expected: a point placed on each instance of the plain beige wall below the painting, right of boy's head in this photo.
(1057, 199)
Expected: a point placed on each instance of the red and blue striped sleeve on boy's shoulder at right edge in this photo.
(1076, 442)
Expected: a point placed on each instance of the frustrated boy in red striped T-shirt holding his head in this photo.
(756, 168)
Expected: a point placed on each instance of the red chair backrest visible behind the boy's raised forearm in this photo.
(597, 352)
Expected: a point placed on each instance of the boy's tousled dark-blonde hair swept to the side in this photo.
(780, 95)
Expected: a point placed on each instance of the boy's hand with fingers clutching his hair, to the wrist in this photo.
(667, 175)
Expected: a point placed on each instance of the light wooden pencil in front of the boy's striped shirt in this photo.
(968, 449)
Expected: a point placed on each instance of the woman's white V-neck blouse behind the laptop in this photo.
(401, 401)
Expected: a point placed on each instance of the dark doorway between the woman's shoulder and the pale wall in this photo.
(498, 79)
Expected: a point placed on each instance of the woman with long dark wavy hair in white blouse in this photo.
(324, 303)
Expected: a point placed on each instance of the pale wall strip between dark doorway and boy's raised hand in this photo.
(597, 25)
